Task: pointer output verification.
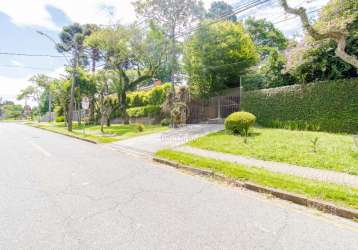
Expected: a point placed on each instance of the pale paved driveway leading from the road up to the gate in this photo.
(149, 144)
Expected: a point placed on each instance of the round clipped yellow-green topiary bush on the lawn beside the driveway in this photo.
(240, 122)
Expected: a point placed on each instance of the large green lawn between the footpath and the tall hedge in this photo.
(334, 151)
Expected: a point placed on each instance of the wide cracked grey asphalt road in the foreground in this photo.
(60, 193)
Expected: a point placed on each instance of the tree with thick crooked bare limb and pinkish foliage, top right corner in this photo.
(337, 15)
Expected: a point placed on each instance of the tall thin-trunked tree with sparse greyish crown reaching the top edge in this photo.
(173, 16)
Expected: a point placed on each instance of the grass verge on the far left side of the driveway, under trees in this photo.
(113, 133)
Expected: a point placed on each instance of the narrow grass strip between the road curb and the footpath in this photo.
(337, 194)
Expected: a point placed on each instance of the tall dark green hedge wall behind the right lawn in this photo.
(325, 106)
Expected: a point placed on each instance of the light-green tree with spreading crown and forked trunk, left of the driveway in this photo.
(128, 61)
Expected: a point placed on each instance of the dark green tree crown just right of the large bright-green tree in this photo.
(265, 36)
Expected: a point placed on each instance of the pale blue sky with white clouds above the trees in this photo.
(20, 19)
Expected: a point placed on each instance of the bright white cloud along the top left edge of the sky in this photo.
(82, 11)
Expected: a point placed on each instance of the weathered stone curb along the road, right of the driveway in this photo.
(297, 199)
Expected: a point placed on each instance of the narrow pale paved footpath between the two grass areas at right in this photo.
(306, 172)
